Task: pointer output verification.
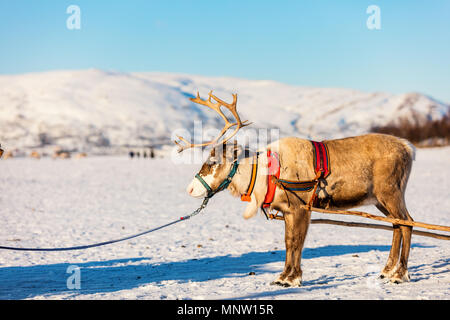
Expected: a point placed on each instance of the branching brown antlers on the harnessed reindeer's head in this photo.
(216, 107)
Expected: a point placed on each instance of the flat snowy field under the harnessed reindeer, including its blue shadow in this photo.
(58, 203)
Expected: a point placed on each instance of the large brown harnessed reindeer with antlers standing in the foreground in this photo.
(368, 169)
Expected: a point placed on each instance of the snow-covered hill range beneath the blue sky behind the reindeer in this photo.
(89, 109)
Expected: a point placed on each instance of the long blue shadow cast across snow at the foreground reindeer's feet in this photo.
(122, 274)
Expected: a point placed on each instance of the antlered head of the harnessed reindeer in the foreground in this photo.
(216, 173)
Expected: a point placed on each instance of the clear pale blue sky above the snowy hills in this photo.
(310, 43)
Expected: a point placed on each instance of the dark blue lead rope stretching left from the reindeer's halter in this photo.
(197, 211)
